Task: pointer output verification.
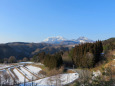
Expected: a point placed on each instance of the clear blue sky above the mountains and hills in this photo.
(35, 20)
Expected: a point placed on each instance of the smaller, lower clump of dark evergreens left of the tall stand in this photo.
(49, 60)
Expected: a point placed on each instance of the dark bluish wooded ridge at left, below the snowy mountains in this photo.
(23, 49)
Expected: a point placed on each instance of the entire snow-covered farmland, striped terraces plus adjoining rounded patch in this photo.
(21, 73)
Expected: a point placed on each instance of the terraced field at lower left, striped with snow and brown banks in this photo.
(18, 74)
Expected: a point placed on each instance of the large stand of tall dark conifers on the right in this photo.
(87, 55)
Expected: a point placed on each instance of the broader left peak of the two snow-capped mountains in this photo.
(54, 40)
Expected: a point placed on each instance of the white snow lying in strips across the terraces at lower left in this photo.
(19, 72)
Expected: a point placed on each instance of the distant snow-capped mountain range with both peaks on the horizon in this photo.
(61, 40)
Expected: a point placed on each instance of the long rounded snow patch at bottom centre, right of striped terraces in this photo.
(62, 79)
